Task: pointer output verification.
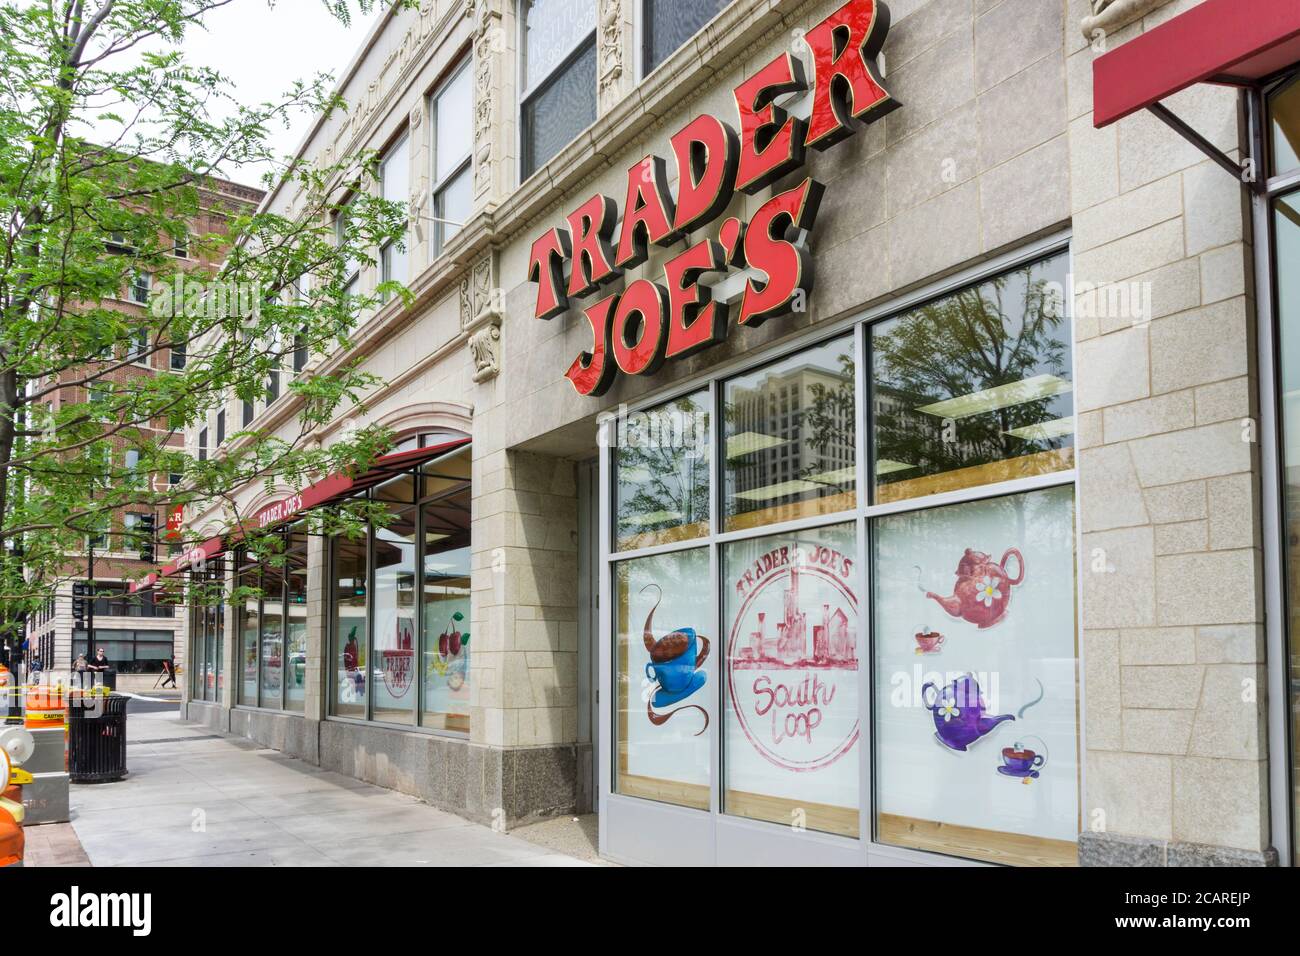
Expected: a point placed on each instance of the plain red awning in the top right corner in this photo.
(1230, 42)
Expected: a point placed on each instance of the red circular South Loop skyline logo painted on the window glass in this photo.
(794, 656)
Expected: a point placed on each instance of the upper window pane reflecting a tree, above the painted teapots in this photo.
(974, 388)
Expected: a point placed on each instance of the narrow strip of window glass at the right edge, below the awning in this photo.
(1286, 270)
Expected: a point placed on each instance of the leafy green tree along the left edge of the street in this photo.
(110, 140)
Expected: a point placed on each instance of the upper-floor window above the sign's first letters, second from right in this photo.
(560, 77)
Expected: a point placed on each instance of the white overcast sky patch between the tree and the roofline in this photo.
(265, 50)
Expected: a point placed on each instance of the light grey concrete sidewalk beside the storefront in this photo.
(197, 799)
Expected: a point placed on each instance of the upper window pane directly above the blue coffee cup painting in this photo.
(661, 460)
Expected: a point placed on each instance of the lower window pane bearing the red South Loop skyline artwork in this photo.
(792, 724)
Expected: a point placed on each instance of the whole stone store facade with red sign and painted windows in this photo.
(853, 461)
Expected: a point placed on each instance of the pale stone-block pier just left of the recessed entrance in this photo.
(525, 609)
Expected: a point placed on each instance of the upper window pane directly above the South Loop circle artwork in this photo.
(790, 439)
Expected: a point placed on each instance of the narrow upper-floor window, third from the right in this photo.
(453, 148)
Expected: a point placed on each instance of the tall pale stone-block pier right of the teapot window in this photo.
(1169, 486)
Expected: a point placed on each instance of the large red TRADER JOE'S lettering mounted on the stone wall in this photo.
(636, 330)
